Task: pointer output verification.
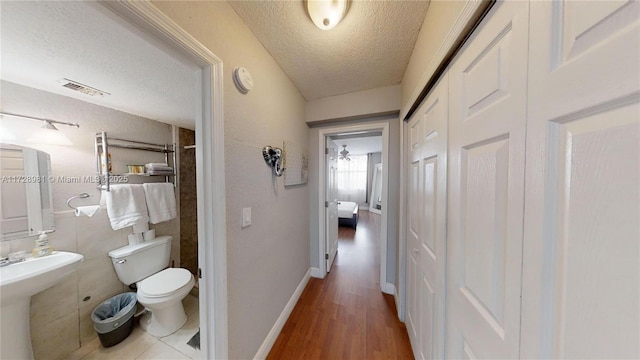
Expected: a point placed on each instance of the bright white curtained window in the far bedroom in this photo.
(352, 179)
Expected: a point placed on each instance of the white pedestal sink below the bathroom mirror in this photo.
(20, 281)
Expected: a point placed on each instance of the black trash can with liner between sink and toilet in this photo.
(113, 318)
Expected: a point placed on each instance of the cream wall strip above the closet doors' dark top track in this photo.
(428, 50)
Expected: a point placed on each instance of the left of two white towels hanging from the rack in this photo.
(126, 205)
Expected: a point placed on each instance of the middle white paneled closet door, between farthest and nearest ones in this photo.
(486, 187)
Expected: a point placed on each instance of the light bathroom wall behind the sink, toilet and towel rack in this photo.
(60, 317)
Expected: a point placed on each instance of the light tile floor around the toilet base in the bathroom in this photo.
(141, 346)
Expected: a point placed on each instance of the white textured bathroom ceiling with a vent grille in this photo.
(45, 41)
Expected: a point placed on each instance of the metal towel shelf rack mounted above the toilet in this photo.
(103, 143)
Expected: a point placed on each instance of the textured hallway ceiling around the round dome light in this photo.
(370, 48)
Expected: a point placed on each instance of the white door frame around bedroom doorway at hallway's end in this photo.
(323, 133)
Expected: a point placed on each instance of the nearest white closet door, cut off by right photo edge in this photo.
(581, 248)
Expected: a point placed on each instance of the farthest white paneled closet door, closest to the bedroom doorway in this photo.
(427, 224)
